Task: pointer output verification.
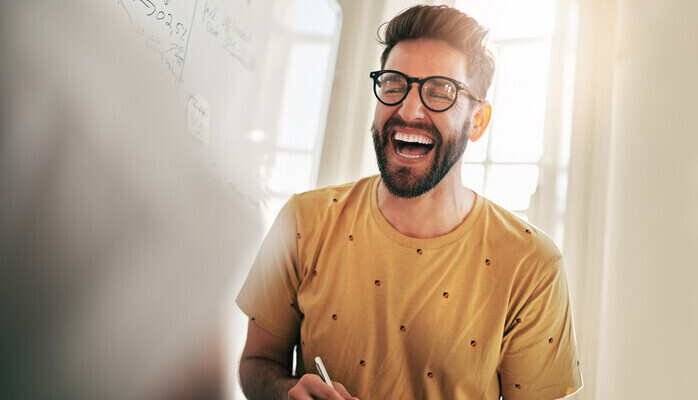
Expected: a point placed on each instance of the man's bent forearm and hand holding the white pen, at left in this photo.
(265, 371)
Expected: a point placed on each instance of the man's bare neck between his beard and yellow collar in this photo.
(435, 213)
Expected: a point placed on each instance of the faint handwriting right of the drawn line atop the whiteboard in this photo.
(234, 36)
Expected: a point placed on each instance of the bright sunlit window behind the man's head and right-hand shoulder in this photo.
(521, 162)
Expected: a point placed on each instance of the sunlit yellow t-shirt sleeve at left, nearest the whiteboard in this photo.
(268, 296)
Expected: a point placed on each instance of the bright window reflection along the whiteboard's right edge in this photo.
(314, 27)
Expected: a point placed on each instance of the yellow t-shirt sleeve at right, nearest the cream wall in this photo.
(539, 355)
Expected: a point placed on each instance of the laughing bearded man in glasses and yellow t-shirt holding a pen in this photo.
(408, 284)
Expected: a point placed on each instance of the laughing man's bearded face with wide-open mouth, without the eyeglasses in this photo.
(416, 147)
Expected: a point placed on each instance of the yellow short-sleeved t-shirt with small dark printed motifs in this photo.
(481, 311)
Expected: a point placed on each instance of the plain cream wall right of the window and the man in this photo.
(633, 223)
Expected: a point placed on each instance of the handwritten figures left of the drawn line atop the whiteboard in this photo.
(165, 26)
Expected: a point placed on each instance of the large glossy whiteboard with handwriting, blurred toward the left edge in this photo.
(118, 252)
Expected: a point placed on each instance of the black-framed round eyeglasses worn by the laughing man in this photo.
(438, 93)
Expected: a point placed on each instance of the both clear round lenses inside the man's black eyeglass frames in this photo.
(437, 94)
